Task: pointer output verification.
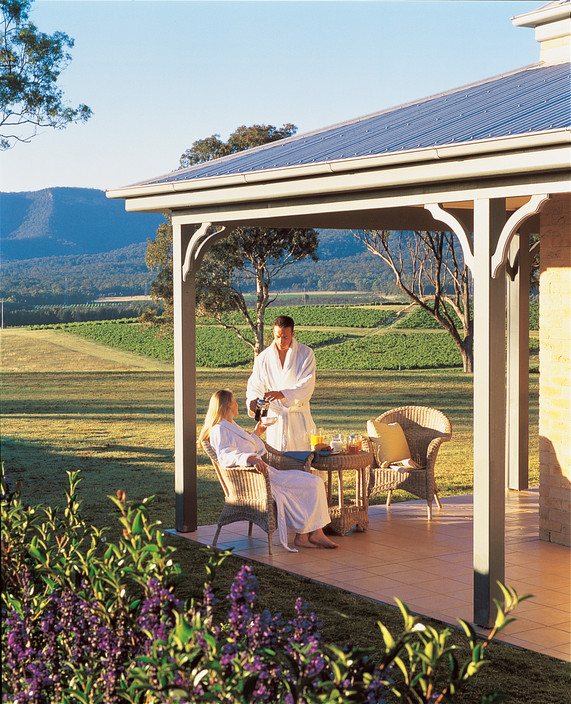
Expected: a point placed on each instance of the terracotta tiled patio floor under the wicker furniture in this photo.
(429, 565)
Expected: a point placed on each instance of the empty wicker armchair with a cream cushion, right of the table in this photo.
(425, 430)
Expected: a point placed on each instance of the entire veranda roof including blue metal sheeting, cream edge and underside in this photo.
(508, 136)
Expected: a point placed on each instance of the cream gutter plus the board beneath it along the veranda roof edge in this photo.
(542, 153)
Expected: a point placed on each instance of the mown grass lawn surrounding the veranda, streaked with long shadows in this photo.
(115, 425)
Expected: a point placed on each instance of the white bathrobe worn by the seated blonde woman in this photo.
(300, 496)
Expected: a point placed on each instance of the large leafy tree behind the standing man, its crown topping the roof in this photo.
(244, 262)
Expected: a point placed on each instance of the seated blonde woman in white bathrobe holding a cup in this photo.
(300, 497)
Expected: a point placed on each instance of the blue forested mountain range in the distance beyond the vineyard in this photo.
(77, 242)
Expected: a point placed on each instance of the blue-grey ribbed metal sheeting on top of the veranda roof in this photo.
(533, 99)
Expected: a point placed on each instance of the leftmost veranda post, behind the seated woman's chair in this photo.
(184, 295)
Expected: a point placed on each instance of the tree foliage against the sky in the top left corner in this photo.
(30, 64)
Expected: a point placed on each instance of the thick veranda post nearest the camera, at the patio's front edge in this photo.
(489, 412)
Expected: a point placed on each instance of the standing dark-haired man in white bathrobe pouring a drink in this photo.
(284, 375)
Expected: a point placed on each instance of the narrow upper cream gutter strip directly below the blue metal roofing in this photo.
(433, 154)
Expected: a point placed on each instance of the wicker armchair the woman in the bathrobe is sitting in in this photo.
(248, 494)
